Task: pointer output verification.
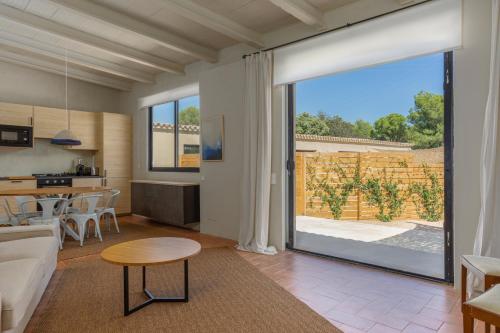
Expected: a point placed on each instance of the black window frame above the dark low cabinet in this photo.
(176, 167)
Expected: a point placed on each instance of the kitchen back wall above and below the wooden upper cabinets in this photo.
(23, 85)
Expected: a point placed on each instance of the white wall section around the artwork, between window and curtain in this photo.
(221, 93)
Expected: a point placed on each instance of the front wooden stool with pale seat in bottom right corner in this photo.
(485, 307)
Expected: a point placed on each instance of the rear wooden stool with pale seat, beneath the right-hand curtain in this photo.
(485, 268)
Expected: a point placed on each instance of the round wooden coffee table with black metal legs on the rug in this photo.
(147, 252)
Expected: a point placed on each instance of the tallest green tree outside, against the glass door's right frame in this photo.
(427, 120)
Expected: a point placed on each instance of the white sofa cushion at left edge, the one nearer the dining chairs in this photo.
(44, 248)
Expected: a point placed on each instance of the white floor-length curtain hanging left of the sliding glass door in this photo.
(256, 177)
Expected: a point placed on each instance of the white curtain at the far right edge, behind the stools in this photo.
(488, 231)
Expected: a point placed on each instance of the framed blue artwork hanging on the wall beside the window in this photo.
(212, 139)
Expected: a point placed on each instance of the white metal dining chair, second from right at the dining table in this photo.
(83, 217)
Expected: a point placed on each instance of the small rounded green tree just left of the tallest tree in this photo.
(392, 127)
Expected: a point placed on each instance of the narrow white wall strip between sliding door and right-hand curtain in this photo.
(470, 95)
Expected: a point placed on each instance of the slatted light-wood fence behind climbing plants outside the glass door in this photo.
(400, 166)
